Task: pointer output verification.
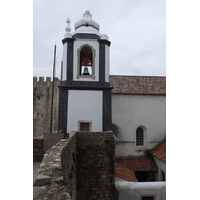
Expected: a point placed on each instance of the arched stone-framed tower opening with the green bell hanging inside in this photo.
(86, 64)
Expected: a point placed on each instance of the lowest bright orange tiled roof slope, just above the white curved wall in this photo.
(124, 173)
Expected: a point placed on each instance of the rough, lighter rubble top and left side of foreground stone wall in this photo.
(53, 180)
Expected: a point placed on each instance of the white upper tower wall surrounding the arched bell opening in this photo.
(77, 44)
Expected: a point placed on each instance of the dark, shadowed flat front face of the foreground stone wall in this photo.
(95, 166)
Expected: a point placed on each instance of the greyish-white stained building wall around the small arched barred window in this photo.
(131, 111)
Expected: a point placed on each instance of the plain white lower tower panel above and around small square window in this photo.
(84, 105)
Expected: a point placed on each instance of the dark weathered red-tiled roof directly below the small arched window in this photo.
(138, 163)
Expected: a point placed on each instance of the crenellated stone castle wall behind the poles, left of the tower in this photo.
(42, 96)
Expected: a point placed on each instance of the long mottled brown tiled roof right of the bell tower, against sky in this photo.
(138, 84)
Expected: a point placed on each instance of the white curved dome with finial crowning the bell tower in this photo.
(87, 21)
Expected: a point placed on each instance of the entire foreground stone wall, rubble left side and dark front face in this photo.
(81, 167)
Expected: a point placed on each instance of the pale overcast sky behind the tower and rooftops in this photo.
(136, 29)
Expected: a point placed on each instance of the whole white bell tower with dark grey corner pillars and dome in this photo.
(85, 103)
